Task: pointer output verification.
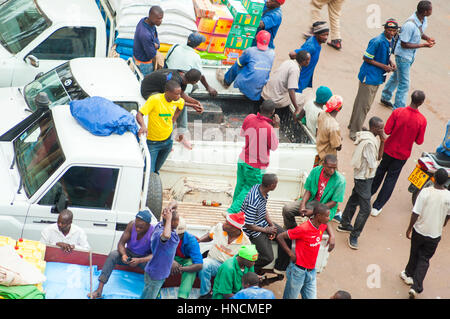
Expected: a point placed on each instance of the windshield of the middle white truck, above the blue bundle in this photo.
(59, 84)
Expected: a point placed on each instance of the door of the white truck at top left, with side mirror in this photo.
(62, 45)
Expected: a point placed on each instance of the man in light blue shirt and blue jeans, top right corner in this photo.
(412, 32)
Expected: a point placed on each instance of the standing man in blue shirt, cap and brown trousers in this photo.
(377, 63)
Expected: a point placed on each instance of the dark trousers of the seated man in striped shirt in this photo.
(265, 253)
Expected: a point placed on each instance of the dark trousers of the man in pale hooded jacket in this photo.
(360, 196)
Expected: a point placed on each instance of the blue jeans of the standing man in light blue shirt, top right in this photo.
(399, 80)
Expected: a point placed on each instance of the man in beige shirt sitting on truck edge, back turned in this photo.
(284, 81)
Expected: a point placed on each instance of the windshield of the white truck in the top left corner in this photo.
(21, 22)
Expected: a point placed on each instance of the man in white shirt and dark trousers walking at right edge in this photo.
(430, 214)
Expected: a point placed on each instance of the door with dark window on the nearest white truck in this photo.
(90, 192)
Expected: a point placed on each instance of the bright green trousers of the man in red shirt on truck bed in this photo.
(247, 177)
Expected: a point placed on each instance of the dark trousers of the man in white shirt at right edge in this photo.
(422, 249)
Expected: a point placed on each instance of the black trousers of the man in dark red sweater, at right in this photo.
(389, 170)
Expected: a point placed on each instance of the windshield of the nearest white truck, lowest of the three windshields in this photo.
(38, 154)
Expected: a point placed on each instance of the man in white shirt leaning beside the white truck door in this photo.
(64, 234)
